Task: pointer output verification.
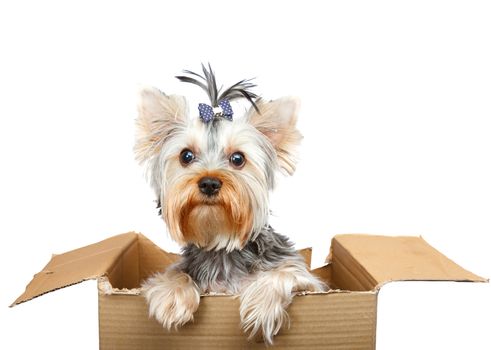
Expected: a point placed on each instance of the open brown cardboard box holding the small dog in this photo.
(343, 318)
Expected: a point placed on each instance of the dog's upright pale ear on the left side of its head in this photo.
(159, 116)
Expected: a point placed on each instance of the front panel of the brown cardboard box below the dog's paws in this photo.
(322, 321)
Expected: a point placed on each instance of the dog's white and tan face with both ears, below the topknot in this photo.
(212, 179)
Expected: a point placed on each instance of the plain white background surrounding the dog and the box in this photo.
(396, 118)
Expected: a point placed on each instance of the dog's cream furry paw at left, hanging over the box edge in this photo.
(172, 298)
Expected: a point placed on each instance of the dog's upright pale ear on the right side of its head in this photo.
(277, 120)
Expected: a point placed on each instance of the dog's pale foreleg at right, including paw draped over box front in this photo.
(263, 302)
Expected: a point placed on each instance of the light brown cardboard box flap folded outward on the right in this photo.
(365, 262)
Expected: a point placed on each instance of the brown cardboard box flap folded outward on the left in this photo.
(93, 261)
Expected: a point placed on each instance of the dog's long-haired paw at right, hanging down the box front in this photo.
(263, 311)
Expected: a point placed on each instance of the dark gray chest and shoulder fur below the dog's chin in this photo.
(219, 270)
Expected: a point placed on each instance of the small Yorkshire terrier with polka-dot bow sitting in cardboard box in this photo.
(212, 176)
